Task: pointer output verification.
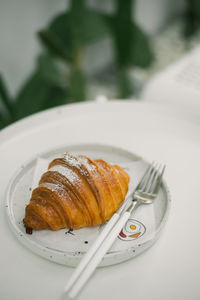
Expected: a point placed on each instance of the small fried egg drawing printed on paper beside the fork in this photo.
(132, 230)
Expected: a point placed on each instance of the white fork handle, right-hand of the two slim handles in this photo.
(96, 259)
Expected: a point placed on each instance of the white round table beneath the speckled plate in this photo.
(170, 268)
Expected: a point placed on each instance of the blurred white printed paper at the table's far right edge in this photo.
(178, 85)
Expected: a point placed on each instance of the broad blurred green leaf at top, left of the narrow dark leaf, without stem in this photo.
(76, 28)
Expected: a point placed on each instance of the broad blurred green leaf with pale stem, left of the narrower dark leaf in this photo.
(66, 39)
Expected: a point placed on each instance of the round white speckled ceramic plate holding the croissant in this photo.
(66, 246)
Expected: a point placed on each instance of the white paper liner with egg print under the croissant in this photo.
(139, 228)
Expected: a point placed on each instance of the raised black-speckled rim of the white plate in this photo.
(72, 258)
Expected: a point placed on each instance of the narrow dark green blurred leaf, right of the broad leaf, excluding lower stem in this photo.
(131, 44)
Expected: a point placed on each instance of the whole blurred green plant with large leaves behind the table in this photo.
(59, 76)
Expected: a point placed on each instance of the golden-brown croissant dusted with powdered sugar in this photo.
(75, 192)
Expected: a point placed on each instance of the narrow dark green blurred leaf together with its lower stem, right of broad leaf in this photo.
(130, 46)
